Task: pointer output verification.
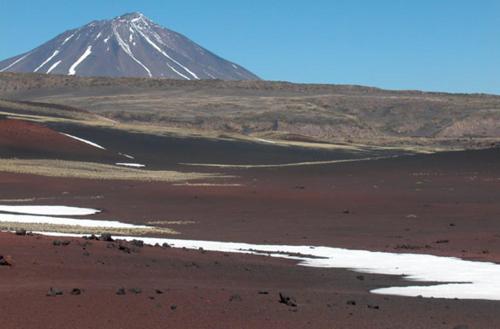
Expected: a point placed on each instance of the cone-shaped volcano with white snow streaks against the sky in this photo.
(128, 45)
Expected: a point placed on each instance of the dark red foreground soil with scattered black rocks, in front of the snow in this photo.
(201, 290)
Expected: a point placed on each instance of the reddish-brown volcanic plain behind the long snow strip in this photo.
(444, 204)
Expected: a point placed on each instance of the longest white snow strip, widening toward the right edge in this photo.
(454, 277)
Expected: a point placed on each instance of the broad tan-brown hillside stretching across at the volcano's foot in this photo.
(274, 110)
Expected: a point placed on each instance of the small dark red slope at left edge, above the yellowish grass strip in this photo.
(20, 138)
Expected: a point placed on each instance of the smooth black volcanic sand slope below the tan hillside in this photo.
(167, 152)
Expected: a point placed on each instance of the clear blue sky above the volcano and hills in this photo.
(440, 45)
